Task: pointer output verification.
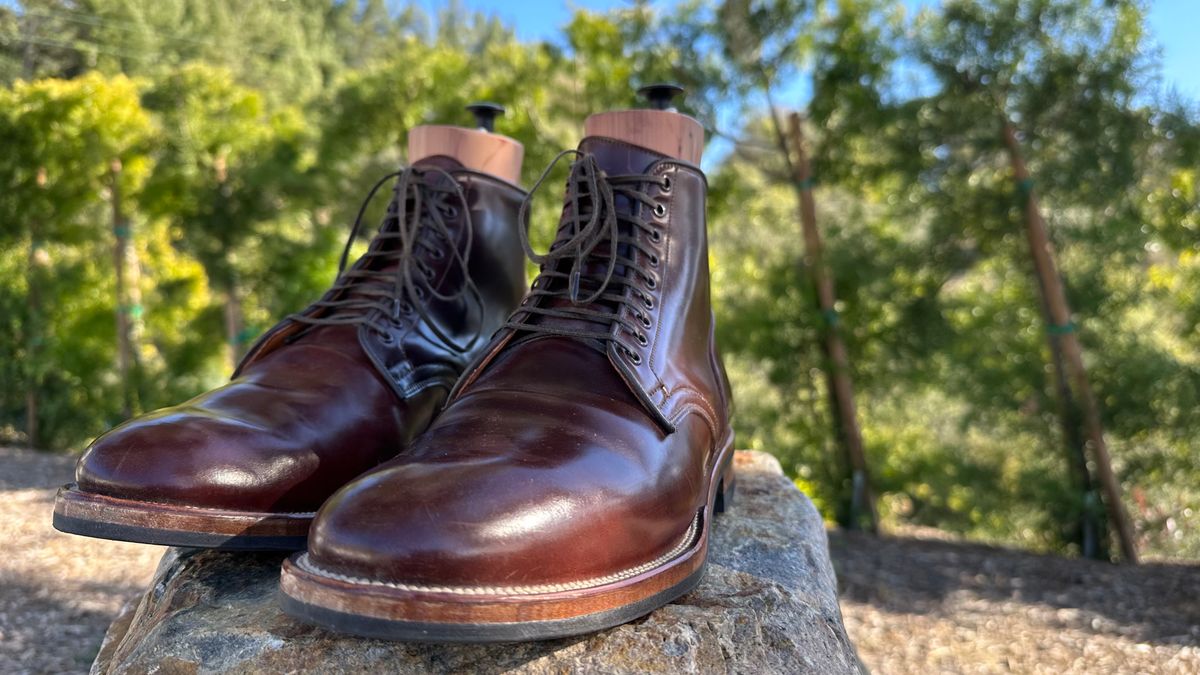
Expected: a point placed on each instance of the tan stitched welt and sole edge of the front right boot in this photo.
(406, 613)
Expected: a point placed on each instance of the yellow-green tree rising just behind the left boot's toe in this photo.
(223, 172)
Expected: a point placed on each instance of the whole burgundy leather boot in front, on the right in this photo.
(572, 482)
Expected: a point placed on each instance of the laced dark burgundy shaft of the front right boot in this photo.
(633, 283)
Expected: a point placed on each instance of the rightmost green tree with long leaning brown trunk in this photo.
(1066, 71)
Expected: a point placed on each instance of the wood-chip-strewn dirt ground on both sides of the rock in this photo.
(920, 605)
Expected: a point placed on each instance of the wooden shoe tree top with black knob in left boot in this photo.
(481, 150)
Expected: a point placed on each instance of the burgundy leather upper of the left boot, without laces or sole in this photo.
(313, 408)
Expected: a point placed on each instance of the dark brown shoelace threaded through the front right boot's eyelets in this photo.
(599, 265)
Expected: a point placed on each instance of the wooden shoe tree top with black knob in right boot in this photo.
(659, 128)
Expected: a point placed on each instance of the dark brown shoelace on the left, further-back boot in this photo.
(393, 279)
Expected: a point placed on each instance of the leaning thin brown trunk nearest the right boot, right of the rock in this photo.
(838, 372)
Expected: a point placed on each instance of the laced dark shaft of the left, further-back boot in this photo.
(439, 279)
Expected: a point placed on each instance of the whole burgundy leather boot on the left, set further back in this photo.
(328, 393)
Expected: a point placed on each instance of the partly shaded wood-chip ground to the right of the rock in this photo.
(927, 606)
